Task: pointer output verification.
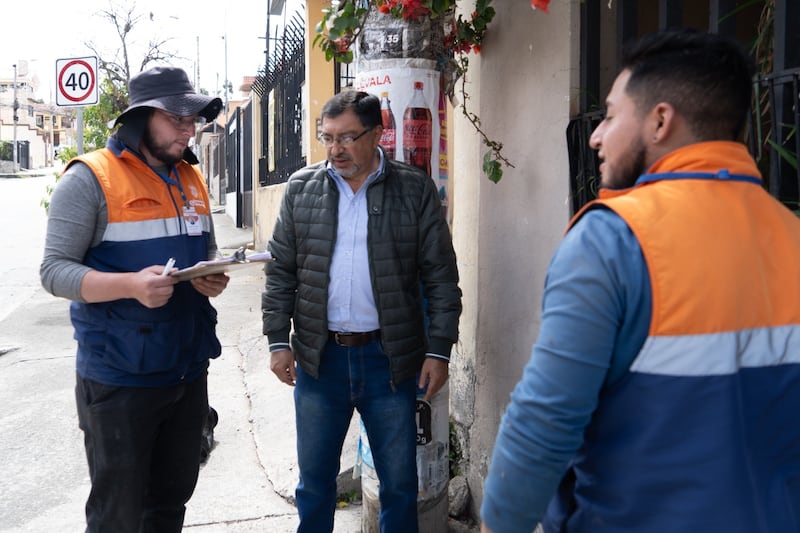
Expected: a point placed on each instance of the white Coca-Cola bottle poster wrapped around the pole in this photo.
(414, 116)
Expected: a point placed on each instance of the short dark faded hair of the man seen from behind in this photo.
(707, 78)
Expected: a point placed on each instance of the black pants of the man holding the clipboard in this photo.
(143, 450)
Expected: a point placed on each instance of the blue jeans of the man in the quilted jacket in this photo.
(355, 377)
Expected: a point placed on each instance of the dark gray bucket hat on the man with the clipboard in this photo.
(168, 89)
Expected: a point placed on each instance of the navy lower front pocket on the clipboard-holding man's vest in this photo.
(139, 347)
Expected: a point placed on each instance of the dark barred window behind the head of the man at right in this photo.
(765, 27)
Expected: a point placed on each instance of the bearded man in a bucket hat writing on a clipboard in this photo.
(144, 340)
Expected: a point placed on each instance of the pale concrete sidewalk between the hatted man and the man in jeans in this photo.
(248, 482)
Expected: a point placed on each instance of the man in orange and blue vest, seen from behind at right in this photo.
(663, 389)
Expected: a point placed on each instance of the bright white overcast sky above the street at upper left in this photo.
(42, 31)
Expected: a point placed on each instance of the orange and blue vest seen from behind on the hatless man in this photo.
(702, 434)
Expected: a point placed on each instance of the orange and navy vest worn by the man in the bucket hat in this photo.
(122, 342)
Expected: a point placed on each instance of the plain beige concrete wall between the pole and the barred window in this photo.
(523, 86)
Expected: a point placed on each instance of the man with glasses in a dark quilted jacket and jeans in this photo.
(360, 243)
